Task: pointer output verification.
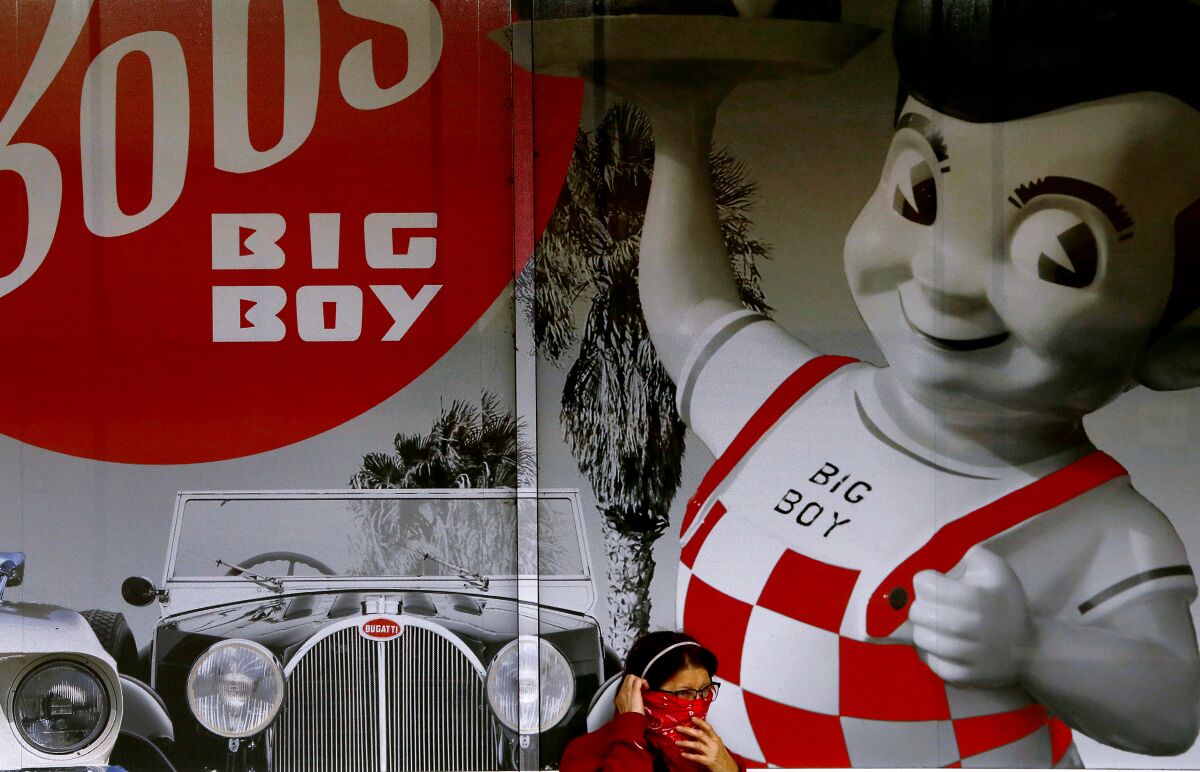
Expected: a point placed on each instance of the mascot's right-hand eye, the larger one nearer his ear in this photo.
(1058, 247)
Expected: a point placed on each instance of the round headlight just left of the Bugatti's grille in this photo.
(236, 689)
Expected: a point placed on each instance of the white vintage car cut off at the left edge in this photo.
(65, 705)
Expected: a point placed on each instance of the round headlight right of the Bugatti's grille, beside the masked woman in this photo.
(530, 686)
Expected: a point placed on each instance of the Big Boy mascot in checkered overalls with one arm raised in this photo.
(929, 564)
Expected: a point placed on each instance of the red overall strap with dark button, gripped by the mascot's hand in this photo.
(889, 606)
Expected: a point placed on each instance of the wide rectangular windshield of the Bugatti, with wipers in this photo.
(370, 536)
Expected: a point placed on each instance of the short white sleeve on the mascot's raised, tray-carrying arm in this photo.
(731, 370)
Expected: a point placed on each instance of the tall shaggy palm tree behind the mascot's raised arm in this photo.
(619, 410)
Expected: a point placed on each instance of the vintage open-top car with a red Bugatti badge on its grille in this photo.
(382, 630)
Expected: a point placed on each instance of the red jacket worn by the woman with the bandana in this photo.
(622, 746)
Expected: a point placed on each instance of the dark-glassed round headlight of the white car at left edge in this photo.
(62, 708)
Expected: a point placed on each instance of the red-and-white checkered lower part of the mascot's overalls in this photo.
(800, 695)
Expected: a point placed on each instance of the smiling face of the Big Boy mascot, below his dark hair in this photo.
(1022, 267)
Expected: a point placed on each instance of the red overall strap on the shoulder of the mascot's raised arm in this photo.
(789, 393)
